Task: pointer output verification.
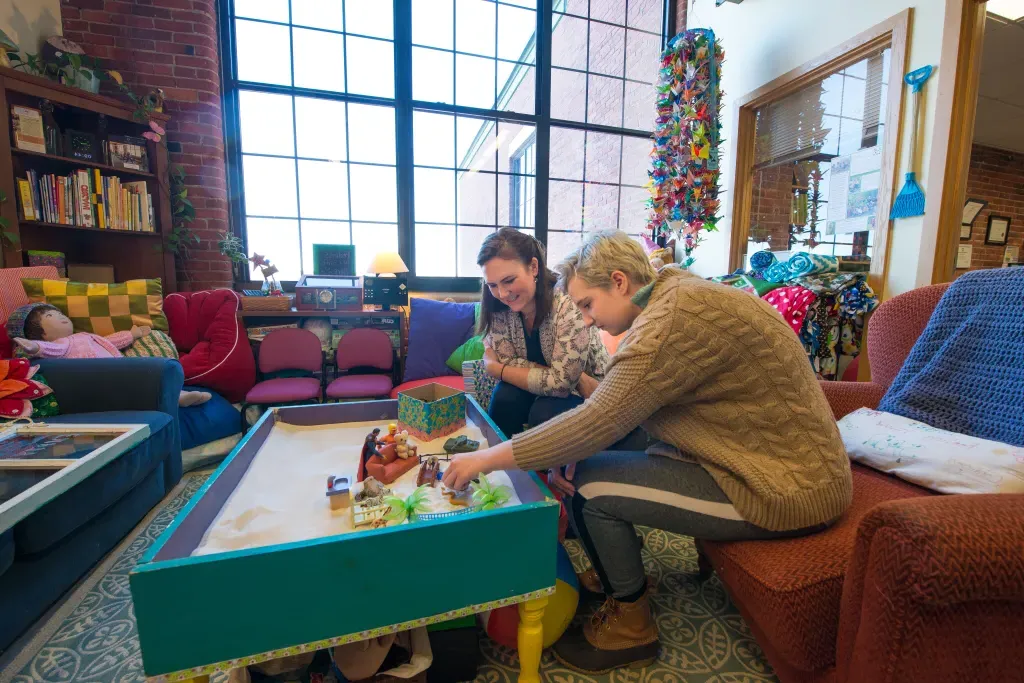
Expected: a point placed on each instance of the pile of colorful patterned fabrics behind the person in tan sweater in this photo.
(825, 308)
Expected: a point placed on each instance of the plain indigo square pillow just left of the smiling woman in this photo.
(436, 329)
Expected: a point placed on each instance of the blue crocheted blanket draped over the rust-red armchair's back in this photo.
(966, 373)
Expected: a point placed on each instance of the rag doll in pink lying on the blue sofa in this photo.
(49, 333)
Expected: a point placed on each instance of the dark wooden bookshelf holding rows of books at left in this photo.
(100, 116)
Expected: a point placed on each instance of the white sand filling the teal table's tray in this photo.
(281, 498)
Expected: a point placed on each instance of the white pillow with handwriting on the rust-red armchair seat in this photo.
(944, 461)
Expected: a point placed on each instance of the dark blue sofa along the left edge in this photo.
(47, 553)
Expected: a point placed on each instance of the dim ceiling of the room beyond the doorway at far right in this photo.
(1000, 121)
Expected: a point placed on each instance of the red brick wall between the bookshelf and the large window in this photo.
(174, 46)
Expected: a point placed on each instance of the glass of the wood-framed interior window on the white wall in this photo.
(797, 139)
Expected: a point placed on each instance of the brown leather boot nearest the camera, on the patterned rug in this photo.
(620, 634)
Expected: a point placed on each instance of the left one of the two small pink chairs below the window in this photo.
(283, 352)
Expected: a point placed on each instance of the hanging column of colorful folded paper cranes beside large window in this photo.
(688, 133)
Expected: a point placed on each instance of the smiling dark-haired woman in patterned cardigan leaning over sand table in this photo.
(537, 344)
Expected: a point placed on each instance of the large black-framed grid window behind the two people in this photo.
(423, 126)
